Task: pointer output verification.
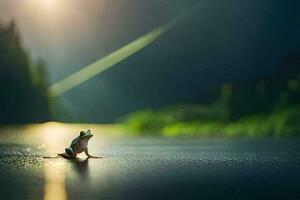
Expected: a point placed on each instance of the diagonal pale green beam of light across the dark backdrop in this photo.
(108, 61)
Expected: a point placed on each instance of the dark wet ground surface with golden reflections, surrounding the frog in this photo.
(145, 168)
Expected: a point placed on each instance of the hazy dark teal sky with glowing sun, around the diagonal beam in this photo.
(219, 41)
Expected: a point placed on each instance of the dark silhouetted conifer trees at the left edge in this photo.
(23, 96)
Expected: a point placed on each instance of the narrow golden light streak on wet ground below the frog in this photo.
(55, 181)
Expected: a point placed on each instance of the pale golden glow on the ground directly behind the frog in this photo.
(54, 137)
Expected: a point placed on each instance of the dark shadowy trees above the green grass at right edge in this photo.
(277, 90)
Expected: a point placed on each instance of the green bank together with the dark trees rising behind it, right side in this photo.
(265, 107)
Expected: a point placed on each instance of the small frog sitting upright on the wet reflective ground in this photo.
(79, 145)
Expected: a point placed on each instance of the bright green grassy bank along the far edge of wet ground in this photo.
(171, 123)
